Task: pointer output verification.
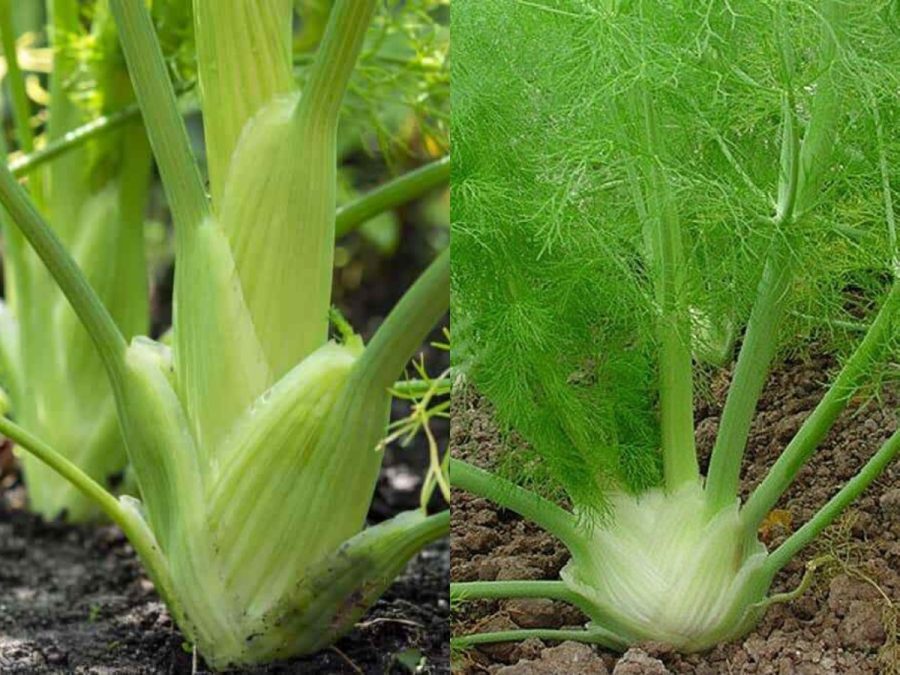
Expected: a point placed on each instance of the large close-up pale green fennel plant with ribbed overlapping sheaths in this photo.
(253, 439)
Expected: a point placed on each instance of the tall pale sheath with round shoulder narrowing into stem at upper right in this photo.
(278, 206)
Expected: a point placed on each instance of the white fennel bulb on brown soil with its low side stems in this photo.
(662, 567)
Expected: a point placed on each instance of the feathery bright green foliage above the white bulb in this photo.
(551, 268)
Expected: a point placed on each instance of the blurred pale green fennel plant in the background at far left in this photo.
(94, 195)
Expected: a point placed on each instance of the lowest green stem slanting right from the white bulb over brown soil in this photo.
(836, 505)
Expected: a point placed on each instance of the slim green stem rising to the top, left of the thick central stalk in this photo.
(165, 126)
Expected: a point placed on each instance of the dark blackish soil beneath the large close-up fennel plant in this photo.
(75, 600)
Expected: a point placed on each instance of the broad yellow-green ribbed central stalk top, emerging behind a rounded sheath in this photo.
(244, 61)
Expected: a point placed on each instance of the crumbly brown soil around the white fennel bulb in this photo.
(846, 623)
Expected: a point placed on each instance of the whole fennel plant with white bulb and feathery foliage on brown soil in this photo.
(633, 181)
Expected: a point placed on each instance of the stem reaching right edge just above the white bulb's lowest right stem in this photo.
(817, 425)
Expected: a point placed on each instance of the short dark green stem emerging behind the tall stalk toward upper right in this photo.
(391, 195)
